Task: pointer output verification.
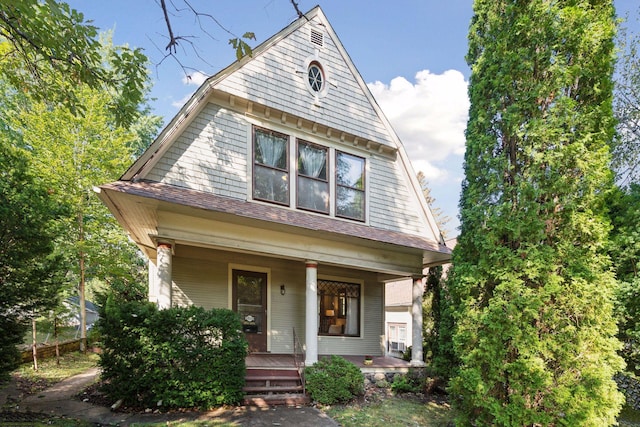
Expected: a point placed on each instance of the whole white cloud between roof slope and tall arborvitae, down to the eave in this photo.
(430, 117)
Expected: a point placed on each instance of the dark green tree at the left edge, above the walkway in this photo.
(29, 270)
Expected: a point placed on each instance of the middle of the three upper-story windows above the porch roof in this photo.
(313, 182)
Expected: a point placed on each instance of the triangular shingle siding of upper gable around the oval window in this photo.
(277, 78)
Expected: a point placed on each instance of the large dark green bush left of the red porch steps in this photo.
(182, 357)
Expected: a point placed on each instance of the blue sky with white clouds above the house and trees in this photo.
(410, 52)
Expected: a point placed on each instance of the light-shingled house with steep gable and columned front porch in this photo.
(280, 191)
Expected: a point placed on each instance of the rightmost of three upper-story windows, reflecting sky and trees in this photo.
(350, 186)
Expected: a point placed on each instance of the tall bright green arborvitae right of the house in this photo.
(531, 286)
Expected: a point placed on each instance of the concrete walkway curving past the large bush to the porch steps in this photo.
(59, 400)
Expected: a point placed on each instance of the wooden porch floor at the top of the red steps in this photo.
(286, 361)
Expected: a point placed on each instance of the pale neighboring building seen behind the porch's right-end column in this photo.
(398, 311)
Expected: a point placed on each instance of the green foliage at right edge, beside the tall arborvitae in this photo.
(624, 247)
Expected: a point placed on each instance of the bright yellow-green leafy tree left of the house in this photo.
(73, 153)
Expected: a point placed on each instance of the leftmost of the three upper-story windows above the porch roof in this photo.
(270, 166)
